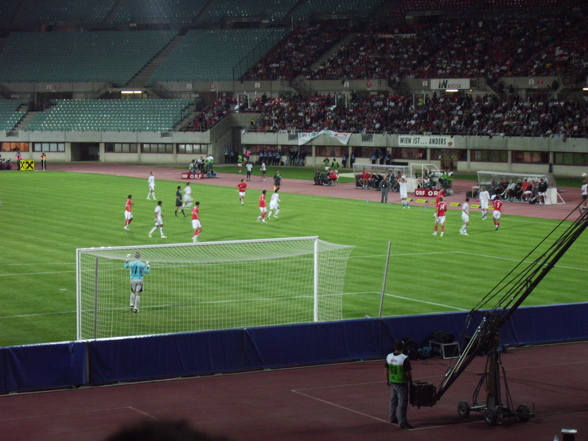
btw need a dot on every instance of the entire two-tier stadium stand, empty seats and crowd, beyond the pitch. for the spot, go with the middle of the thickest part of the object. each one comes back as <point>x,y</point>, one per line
<point>366,67</point>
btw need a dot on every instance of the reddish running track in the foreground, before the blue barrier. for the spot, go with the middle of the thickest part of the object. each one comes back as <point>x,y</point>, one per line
<point>345,402</point>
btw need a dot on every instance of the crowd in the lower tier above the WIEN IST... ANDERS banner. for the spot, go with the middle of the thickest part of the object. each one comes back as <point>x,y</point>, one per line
<point>438,115</point>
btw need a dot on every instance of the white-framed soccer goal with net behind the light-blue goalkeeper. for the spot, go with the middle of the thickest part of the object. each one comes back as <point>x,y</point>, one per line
<point>210,286</point>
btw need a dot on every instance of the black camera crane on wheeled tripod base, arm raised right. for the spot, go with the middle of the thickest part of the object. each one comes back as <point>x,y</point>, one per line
<point>511,292</point>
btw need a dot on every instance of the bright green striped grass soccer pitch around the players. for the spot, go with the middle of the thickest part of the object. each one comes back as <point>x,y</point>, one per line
<point>46,216</point>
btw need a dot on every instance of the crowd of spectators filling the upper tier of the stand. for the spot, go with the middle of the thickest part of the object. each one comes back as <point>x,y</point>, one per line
<point>492,47</point>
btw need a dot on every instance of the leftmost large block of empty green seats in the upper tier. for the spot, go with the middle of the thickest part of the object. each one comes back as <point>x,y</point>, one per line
<point>114,56</point>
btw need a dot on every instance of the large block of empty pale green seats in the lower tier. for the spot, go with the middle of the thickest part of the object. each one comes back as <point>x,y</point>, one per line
<point>111,115</point>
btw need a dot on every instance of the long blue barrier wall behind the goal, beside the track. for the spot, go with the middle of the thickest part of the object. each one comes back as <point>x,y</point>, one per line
<point>104,361</point>
